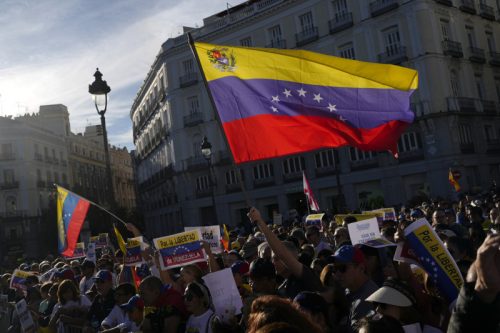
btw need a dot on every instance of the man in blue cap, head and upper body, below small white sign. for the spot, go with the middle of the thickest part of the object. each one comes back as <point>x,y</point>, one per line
<point>350,271</point>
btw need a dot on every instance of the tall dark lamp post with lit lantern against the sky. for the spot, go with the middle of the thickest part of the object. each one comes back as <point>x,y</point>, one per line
<point>99,90</point>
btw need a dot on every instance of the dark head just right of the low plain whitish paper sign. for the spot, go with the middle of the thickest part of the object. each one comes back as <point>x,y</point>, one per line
<point>262,276</point>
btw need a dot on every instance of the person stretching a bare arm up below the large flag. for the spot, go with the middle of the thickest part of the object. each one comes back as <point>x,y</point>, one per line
<point>297,277</point>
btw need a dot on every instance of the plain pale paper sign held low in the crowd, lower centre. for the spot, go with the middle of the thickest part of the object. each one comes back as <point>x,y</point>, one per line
<point>225,295</point>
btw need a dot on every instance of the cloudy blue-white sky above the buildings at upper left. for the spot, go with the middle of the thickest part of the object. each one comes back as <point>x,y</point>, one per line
<point>50,49</point>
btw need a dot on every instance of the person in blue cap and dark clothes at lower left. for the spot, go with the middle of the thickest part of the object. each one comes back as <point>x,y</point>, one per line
<point>104,301</point>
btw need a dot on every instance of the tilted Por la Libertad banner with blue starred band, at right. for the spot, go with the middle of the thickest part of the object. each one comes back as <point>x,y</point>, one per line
<point>434,258</point>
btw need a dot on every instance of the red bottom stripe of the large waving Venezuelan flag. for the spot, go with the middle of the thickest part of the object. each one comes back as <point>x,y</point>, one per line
<point>267,136</point>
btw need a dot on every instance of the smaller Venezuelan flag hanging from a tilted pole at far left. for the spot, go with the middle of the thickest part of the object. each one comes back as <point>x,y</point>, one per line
<point>71,212</point>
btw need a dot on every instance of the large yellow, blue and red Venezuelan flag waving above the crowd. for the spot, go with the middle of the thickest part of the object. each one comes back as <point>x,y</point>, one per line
<point>278,102</point>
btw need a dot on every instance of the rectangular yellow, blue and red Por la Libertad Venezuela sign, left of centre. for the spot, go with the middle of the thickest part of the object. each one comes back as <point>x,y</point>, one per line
<point>180,249</point>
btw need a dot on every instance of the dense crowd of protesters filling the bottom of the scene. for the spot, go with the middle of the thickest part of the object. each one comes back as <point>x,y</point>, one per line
<point>291,278</point>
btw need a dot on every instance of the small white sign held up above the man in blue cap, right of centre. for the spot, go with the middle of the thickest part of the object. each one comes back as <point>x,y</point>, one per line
<point>367,233</point>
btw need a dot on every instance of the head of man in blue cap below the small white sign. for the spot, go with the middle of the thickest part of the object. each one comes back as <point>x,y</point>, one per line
<point>350,267</point>
